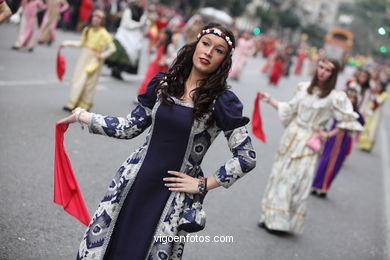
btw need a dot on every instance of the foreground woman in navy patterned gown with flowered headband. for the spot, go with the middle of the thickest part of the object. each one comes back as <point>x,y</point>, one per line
<point>160,194</point>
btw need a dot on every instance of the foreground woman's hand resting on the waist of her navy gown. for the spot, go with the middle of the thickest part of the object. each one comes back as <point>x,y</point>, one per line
<point>181,183</point>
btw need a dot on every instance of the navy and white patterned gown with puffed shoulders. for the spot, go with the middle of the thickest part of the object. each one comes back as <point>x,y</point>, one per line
<point>137,205</point>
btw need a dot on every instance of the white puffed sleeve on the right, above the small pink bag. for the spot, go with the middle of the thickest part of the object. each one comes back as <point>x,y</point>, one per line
<point>343,112</point>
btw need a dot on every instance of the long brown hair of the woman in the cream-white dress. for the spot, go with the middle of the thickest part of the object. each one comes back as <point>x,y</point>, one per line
<point>330,83</point>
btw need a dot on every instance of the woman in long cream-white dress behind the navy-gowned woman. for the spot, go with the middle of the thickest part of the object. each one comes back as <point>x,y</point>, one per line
<point>307,113</point>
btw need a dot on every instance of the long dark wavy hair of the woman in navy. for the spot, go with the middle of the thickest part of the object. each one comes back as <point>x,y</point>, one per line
<point>209,88</point>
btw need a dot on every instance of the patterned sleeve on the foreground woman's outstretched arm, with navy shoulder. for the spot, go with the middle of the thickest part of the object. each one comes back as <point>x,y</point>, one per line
<point>134,124</point>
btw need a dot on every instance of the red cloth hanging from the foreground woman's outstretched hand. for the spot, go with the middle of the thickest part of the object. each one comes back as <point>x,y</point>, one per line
<point>66,189</point>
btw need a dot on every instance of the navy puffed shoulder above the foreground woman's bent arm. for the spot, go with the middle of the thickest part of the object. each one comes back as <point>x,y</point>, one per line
<point>228,111</point>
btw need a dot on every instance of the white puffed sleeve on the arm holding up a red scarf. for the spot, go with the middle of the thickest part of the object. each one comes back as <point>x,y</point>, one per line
<point>287,111</point>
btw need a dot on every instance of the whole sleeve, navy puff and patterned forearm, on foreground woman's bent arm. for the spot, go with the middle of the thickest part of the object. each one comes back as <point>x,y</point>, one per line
<point>228,116</point>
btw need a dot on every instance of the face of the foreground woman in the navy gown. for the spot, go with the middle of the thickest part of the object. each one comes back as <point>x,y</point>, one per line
<point>209,53</point>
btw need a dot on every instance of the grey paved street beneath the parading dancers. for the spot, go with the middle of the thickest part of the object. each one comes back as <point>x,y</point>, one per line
<point>351,224</point>
